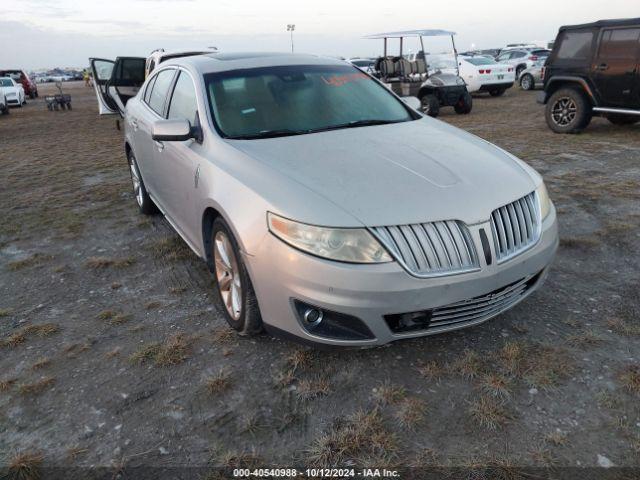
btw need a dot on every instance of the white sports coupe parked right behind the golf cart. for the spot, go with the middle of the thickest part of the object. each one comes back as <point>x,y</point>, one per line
<point>481,74</point>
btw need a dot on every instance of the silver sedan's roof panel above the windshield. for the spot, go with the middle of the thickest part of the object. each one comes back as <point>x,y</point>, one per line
<point>221,62</point>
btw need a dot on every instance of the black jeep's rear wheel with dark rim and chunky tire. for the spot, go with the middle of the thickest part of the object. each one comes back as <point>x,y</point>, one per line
<point>568,111</point>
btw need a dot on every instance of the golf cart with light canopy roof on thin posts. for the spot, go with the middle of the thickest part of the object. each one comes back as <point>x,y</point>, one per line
<point>434,89</point>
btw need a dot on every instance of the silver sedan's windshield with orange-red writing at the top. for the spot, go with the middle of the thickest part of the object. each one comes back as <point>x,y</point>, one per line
<point>297,99</point>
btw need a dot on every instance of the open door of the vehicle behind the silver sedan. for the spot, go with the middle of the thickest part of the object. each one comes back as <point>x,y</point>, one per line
<point>116,82</point>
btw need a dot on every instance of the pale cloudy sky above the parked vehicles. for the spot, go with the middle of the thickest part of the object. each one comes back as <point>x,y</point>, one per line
<point>64,33</point>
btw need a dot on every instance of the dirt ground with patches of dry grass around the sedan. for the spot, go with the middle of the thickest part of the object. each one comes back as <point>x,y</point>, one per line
<point>114,353</point>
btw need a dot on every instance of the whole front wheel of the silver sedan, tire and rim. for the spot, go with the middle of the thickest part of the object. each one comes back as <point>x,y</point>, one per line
<point>233,285</point>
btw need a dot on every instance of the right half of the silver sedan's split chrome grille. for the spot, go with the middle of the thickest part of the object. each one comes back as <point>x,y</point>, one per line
<point>515,227</point>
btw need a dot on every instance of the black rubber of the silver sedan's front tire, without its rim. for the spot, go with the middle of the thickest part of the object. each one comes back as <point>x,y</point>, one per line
<point>250,321</point>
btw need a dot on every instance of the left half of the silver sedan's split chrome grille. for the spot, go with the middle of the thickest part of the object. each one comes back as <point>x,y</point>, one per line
<point>430,249</point>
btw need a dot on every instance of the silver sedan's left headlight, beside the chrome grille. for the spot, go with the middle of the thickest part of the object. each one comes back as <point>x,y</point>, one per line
<point>354,245</point>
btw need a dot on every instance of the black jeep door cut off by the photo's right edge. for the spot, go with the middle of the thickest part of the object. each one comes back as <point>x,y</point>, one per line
<point>615,67</point>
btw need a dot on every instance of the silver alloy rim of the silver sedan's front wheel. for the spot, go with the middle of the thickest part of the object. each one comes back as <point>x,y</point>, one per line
<point>228,275</point>
